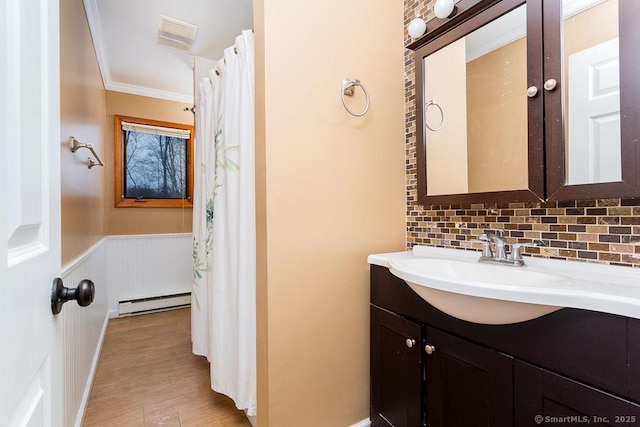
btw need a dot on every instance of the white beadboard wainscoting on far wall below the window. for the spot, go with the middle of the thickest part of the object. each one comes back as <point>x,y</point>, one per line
<point>148,266</point>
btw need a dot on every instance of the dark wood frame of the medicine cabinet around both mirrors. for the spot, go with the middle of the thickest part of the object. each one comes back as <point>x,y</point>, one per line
<point>546,145</point>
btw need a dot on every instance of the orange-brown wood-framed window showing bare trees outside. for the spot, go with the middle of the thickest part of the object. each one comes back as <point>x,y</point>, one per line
<point>153,163</point>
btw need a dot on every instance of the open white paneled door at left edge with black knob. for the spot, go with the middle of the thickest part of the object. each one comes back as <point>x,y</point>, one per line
<point>30,375</point>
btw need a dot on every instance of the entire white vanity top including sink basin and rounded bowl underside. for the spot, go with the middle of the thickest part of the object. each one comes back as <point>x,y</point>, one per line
<point>457,284</point>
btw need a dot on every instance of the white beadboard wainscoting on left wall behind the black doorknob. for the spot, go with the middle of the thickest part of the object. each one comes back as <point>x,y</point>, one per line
<point>83,331</point>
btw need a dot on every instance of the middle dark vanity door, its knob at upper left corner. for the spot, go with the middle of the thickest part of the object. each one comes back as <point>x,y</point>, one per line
<point>467,384</point>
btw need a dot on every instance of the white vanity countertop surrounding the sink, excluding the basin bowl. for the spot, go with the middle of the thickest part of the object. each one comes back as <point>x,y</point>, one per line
<point>599,287</point>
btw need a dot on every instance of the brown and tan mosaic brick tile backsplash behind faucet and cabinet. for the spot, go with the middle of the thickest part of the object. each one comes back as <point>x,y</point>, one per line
<point>603,231</point>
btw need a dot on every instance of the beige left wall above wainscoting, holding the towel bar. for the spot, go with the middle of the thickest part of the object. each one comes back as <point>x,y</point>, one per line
<point>82,115</point>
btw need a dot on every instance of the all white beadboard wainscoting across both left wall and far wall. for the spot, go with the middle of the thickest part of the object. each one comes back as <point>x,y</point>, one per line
<point>122,268</point>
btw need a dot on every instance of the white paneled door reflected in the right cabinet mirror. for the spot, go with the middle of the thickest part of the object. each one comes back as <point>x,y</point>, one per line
<point>594,115</point>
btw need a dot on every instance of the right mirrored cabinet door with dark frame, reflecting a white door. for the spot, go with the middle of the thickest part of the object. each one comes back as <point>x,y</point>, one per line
<point>593,151</point>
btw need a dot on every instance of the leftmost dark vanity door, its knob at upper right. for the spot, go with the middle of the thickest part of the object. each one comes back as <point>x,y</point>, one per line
<point>396,370</point>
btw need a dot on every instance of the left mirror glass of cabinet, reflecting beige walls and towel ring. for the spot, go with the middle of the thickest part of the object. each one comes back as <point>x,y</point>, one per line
<point>475,134</point>
